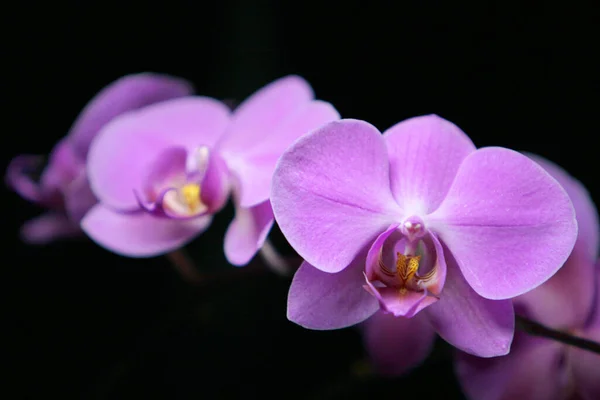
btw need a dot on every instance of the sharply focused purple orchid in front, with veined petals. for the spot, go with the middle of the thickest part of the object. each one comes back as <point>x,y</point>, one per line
<point>418,220</point>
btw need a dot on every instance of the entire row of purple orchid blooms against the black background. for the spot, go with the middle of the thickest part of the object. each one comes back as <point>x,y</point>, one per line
<point>406,234</point>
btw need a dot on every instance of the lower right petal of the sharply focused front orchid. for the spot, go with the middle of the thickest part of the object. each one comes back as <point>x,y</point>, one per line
<point>469,322</point>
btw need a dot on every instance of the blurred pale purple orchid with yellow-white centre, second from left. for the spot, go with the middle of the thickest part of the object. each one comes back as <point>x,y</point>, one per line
<point>161,172</point>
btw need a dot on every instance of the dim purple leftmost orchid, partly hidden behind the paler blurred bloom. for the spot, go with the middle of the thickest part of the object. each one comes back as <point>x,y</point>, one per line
<point>63,187</point>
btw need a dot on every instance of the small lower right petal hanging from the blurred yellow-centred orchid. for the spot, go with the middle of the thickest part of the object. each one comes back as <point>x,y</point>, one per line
<point>247,232</point>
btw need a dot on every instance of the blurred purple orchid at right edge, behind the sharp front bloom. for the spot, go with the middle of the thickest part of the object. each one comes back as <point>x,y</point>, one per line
<point>538,368</point>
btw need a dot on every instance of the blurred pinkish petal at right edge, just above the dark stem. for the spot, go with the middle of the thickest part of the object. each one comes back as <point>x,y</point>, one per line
<point>566,299</point>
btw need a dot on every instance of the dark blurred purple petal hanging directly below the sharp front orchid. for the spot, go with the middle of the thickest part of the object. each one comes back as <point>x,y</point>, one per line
<point>396,344</point>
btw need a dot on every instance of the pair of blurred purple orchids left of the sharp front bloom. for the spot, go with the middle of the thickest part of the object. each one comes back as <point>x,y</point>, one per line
<point>148,164</point>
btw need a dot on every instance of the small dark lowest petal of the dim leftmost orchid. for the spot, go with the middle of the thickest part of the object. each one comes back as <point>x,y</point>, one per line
<point>49,227</point>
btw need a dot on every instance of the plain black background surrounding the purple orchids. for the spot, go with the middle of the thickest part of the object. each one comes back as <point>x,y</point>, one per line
<point>84,323</point>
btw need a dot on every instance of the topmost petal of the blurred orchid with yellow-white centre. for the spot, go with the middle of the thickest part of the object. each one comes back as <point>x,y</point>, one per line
<point>260,114</point>
